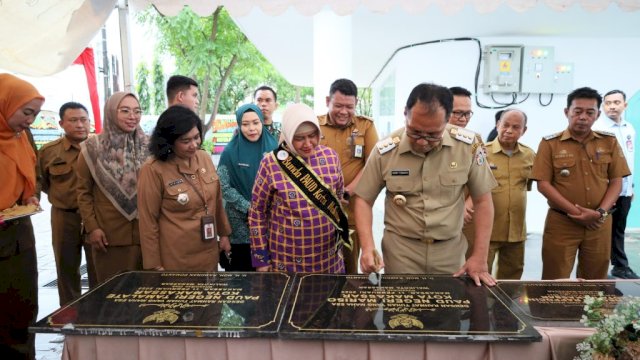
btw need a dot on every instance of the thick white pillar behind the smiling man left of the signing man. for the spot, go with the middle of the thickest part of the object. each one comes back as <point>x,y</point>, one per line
<point>332,59</point>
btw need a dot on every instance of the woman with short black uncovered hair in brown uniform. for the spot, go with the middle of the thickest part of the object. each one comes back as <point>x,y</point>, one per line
<point>179,198</point>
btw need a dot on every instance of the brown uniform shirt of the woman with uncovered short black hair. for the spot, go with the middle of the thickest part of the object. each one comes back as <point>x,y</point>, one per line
<point>170,208</point>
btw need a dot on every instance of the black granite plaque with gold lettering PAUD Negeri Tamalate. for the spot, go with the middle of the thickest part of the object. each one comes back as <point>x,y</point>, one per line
<point>177,304</point>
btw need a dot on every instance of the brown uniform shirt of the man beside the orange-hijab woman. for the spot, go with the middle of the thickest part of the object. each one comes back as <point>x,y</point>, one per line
<point>58,160</point>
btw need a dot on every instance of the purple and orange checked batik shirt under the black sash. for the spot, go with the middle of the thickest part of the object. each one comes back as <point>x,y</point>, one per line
<point>289,233</point>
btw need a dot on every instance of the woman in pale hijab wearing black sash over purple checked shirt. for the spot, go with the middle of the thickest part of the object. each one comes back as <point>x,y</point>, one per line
<point>296,220</point>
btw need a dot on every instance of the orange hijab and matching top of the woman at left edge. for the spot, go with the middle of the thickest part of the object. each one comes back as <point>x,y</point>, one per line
<point>17,158</point>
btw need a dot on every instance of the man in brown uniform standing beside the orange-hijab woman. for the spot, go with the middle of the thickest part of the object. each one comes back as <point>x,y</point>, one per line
<point>57,162</point>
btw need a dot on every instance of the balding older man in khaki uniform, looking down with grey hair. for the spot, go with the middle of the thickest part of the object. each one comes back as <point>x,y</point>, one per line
<point>511,163</point>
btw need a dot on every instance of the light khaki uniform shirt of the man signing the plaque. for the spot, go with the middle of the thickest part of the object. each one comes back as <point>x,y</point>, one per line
<point>431,183</point>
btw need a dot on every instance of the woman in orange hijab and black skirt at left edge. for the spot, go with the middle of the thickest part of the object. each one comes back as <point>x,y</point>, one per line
<point>20,103</point>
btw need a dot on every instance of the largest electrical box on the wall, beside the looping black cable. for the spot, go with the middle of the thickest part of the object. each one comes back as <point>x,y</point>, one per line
<point>502,68</point>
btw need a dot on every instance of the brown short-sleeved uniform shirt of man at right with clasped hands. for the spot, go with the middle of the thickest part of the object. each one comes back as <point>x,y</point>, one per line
<point>580,171</point>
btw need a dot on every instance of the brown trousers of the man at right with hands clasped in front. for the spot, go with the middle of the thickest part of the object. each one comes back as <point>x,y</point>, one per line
<point>563,238</point>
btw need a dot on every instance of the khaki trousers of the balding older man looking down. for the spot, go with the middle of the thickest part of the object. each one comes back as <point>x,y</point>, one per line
<point>510,264</point>
